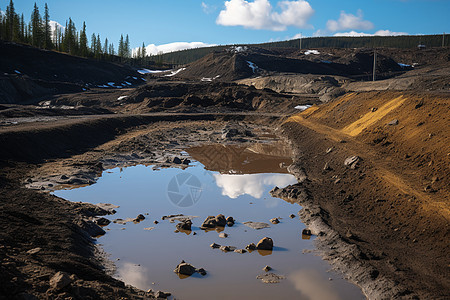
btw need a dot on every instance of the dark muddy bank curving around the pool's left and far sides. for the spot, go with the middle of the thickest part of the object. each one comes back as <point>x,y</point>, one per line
<point>42,234</point>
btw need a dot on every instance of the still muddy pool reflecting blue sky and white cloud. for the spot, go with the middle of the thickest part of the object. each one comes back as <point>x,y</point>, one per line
<point>231,180</point>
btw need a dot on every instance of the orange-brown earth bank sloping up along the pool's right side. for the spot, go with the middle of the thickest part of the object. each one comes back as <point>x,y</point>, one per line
<point>382,220</point>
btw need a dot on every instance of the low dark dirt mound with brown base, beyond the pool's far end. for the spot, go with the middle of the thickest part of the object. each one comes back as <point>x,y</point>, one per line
<point>176,96</point>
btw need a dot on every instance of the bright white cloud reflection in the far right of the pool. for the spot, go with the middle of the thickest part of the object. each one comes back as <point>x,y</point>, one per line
<point>250,184</point>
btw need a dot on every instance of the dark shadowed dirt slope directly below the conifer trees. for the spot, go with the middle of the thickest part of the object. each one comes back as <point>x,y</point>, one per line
<point>28,73</point>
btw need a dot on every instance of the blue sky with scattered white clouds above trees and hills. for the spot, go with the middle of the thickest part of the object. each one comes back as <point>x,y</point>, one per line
<point>239,21</point>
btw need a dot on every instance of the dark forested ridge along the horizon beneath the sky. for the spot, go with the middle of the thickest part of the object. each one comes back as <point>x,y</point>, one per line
<point>408,41</point>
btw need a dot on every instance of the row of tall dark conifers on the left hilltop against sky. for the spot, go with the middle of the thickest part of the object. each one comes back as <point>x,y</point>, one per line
<point>39,33</point>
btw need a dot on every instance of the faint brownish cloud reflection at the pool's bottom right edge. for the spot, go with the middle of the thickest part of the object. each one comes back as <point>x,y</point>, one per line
<point>313,285</point>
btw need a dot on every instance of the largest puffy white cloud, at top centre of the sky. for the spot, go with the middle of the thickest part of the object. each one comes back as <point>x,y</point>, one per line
<point>259,14</point>
